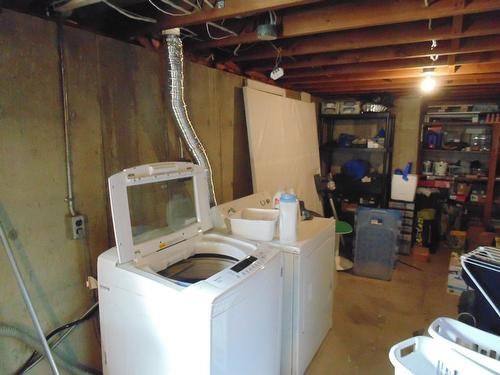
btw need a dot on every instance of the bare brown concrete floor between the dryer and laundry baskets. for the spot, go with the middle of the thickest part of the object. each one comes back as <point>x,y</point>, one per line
<point>369,316</point>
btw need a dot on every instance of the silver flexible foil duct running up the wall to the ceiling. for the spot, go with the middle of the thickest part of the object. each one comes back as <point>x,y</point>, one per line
<point>173,44</point>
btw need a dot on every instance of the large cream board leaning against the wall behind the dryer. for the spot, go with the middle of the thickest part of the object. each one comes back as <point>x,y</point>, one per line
<point>283,143</point>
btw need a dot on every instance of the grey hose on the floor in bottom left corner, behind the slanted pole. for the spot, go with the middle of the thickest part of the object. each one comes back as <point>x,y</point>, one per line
<point>29,340</point>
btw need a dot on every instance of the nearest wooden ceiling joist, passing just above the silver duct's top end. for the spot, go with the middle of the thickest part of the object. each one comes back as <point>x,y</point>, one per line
<point>232,8</point>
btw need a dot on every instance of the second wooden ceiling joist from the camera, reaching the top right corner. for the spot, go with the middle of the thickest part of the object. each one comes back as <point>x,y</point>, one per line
<point>360,14</point>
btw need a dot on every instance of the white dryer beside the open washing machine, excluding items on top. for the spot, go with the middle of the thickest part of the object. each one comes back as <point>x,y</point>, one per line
<point>307,283</point>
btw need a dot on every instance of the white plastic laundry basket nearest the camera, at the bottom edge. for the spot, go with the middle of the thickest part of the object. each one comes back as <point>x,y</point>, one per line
<point>423,356</point>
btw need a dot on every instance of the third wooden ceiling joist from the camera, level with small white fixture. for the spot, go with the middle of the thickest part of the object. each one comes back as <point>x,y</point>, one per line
<point>405,51</point>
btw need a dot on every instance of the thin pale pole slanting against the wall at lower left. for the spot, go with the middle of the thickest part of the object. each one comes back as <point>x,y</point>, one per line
<point>27,300</point>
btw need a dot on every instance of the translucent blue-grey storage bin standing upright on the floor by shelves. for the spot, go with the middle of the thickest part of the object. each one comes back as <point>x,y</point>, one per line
<point>376,242</point>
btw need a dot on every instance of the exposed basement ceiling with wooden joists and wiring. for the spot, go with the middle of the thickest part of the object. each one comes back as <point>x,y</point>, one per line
<point>325,47</point>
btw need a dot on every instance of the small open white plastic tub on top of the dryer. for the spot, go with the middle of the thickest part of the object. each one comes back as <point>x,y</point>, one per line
<point>256,224</point>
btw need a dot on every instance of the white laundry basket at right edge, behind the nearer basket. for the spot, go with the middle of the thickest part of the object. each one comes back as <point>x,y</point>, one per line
<point>480,346</point>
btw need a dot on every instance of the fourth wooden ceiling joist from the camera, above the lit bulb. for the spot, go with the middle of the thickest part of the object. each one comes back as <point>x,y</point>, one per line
<point>381,66</point>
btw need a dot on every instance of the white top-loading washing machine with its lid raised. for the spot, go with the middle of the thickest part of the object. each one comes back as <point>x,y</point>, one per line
<point>173,300</point>
